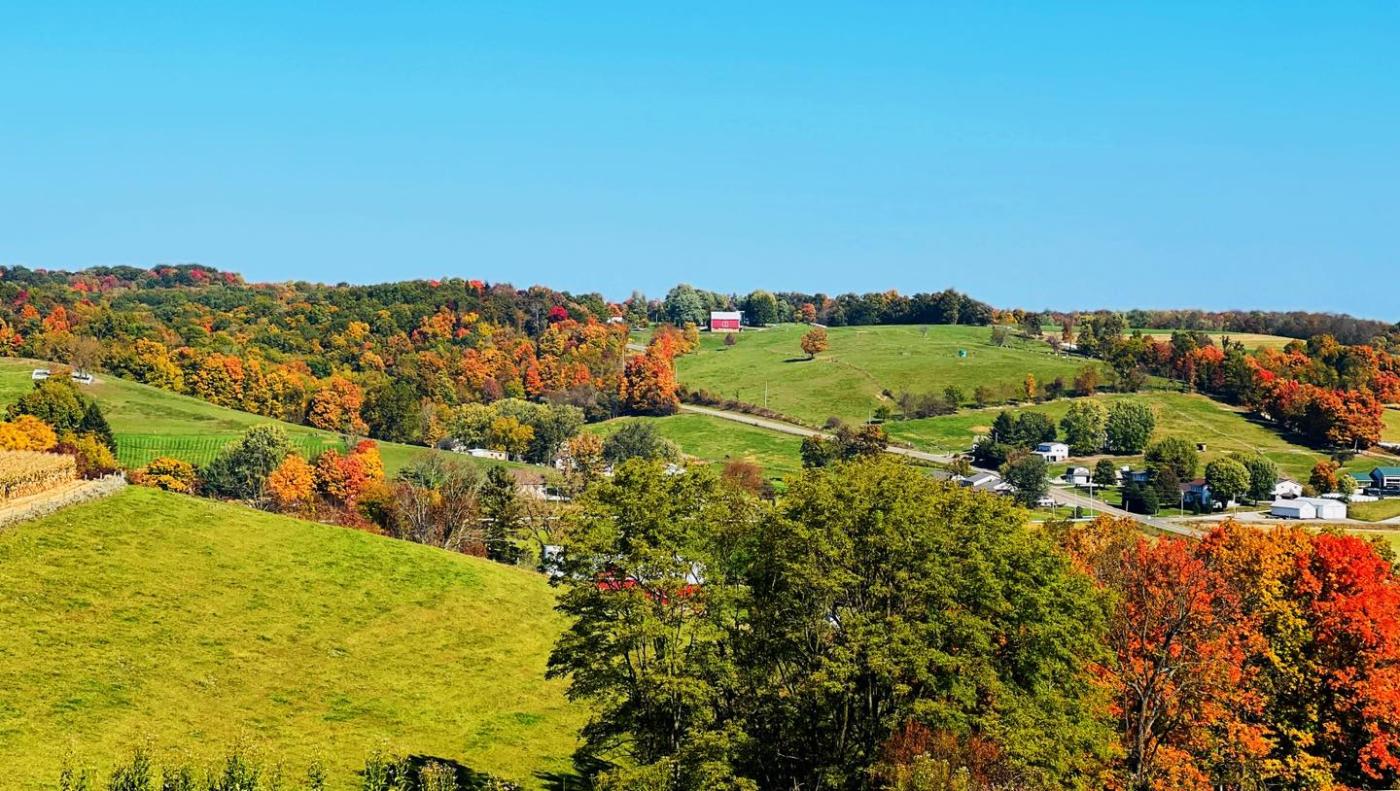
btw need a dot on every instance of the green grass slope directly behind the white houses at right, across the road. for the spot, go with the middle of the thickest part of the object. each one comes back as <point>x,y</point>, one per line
<point>1193,418</point>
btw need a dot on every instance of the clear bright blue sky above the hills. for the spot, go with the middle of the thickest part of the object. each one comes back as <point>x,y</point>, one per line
<point>1038,155</point>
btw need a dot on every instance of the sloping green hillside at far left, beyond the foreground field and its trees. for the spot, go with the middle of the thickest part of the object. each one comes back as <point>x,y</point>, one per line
<point>150,422</point>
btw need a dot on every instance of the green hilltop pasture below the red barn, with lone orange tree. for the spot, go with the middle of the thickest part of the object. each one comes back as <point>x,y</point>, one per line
<point>863,362</point>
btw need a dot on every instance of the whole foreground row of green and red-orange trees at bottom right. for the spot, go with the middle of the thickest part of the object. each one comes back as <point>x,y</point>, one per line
<point>874,629</point>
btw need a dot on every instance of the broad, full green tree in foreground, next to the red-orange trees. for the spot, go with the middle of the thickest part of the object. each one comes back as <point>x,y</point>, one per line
<point>880,598</point>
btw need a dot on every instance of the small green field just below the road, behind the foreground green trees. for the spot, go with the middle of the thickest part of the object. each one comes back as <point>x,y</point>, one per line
<point>716,440</point>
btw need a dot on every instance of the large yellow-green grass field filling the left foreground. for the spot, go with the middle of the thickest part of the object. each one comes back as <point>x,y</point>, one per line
<point>195,624</point>
